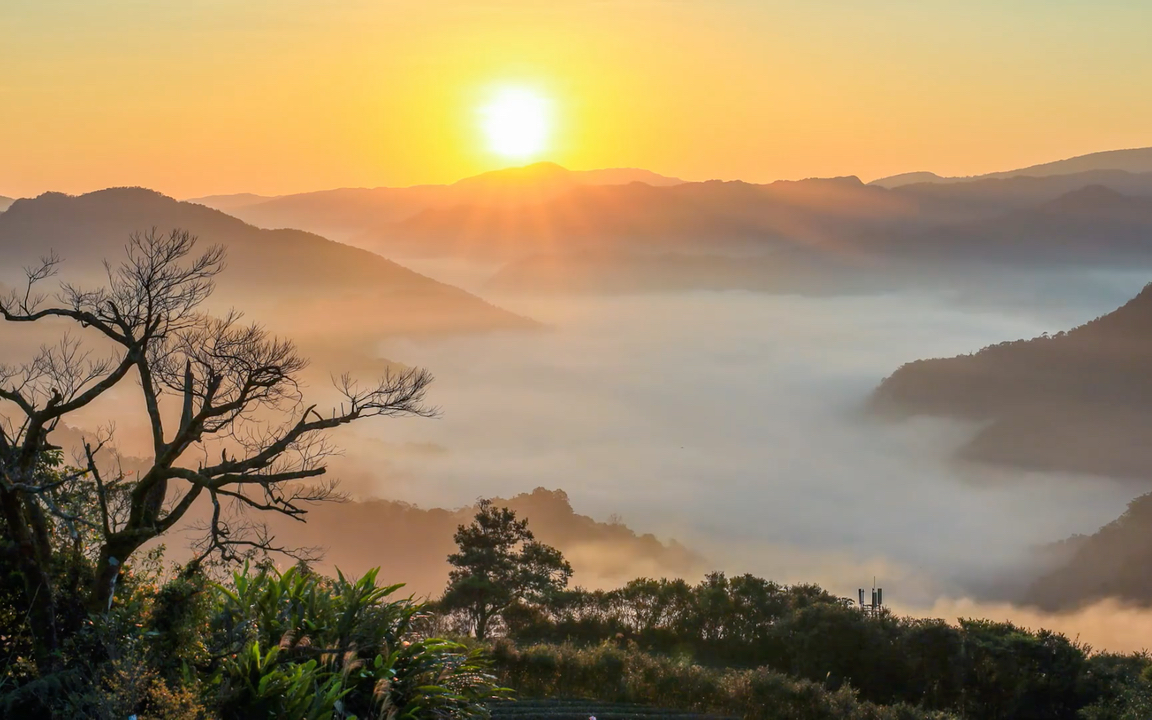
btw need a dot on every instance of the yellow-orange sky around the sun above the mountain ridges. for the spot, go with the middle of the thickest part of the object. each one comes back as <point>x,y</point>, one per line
<point>194,97</point>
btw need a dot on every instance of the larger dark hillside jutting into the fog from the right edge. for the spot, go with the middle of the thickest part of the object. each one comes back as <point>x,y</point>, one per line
<point>1079,401</point>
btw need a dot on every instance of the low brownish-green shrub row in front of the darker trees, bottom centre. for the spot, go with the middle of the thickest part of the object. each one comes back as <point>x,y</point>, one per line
<point>630,676</point>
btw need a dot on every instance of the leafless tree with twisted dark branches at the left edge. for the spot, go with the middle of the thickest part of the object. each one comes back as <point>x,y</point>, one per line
<point>242,436</point>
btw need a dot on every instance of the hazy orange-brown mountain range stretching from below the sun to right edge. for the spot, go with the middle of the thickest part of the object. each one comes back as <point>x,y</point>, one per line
<point>839,216</point>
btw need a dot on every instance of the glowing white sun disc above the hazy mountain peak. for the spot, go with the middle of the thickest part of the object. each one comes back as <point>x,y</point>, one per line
<point>517,123</point>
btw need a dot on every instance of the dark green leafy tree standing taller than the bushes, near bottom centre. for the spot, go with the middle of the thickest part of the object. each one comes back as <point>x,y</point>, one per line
<point>501,564</point>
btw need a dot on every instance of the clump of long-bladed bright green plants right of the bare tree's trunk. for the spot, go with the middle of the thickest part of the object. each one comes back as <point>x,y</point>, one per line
<point>301,647</point>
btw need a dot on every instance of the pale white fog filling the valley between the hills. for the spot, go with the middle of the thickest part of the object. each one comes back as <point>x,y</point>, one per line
<point>731,422</point>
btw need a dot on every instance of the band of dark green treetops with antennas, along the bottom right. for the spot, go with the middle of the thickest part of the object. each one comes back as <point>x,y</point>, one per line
<point>976,669</point>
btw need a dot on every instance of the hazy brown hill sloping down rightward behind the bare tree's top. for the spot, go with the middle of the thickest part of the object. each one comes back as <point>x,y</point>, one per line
<point>281,271</point>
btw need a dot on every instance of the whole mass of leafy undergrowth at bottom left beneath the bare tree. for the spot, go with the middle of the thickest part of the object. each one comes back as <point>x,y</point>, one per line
<point>291,646</point>
